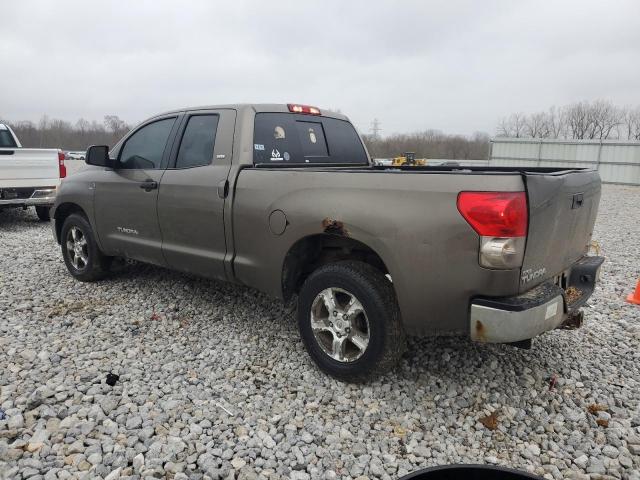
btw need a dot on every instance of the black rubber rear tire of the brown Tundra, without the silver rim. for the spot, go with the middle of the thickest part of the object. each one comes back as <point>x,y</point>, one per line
<point>374,291</point>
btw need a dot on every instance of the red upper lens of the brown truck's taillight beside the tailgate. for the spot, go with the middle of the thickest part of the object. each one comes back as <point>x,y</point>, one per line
<point>495,214</point>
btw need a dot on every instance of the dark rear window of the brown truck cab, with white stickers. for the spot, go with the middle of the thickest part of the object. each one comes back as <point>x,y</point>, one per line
<point>291,138</point>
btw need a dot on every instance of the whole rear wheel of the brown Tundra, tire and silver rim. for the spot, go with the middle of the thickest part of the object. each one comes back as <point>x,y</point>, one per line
<point>349,321</point>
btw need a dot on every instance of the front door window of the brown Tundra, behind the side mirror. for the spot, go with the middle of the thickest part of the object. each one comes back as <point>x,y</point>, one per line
<point>144,149</point>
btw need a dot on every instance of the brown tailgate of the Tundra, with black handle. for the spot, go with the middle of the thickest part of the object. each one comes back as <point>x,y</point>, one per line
<point>562,213</point>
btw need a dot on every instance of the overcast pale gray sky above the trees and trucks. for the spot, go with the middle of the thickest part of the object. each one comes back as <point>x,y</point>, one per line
<point>457,66</point>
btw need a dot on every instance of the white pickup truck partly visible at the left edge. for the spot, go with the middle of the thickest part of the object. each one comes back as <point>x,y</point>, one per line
<point>28,176</point>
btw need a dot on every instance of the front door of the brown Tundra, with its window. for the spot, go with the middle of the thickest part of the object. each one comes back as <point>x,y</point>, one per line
<point>126,197</point>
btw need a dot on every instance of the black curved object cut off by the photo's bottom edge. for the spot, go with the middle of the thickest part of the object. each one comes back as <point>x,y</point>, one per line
<point>469,472</point>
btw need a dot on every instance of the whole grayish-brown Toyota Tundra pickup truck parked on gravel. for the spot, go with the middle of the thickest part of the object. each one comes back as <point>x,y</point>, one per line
<point>284,198</point>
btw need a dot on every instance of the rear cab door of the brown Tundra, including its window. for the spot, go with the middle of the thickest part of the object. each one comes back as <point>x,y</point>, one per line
<point>193,192</point>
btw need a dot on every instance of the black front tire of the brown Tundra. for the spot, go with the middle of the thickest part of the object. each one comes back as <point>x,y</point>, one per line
<point>97,264</point>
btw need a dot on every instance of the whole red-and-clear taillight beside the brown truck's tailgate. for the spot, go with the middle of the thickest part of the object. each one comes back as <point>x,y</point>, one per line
<point>500,218</point>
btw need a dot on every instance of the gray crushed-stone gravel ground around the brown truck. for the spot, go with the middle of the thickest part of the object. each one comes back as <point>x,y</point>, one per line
<point>214,382</point>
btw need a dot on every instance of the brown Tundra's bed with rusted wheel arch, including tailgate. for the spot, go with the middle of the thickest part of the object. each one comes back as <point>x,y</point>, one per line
<point>409,217</point>
